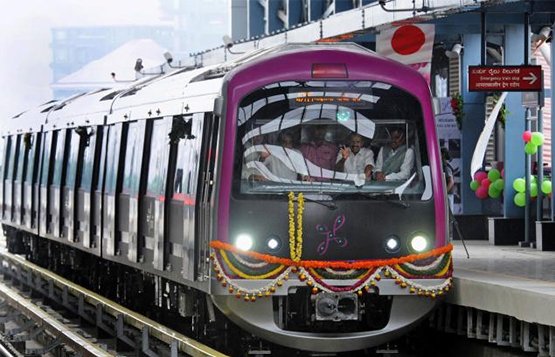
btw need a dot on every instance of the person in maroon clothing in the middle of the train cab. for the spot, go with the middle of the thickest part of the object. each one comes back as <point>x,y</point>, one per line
<point>318,150</point>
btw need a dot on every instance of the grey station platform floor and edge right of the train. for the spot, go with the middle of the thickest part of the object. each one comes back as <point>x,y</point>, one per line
<point>507,280</point>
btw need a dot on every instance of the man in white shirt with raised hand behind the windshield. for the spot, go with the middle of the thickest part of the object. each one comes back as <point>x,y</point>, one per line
<point>355,158</point>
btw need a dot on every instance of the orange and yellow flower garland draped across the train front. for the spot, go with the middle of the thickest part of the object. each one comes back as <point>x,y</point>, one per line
<point>231,263</point>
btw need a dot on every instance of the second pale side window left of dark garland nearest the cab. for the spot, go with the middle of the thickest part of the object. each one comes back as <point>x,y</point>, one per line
<point>133,156</point>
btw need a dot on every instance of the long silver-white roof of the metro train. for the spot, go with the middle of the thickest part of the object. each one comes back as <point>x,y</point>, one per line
<point>180,92</point>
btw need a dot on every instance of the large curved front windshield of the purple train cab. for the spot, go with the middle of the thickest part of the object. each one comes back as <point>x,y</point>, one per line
<point>342,138</point>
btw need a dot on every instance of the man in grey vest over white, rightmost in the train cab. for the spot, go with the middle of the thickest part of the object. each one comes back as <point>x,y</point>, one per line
<point>395,160</point>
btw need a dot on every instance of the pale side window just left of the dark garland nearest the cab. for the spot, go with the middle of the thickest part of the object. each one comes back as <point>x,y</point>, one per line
<point>158,162</point>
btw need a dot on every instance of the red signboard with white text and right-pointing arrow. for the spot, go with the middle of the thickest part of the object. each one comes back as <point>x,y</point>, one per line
<point>505,78</point>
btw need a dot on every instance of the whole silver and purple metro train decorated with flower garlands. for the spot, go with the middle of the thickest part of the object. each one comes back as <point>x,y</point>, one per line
<point>185,180</point>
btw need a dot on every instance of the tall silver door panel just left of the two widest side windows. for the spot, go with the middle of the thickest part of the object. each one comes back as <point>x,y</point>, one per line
<point>112,186</point>
